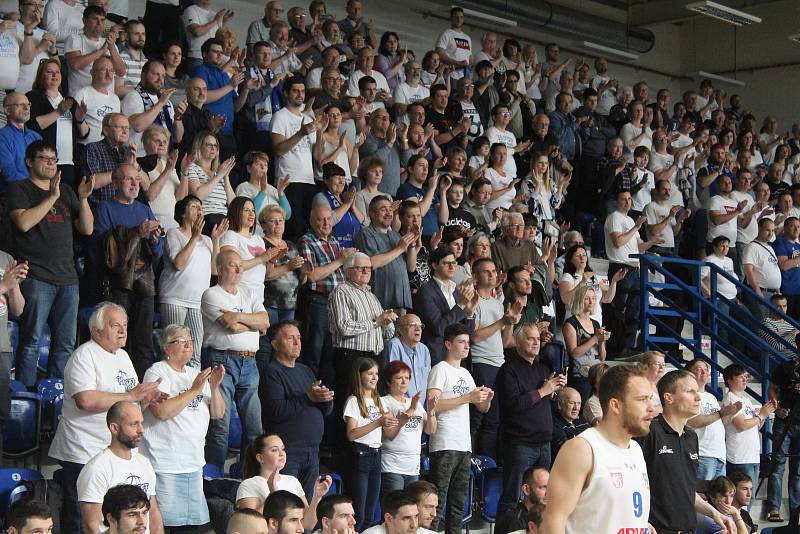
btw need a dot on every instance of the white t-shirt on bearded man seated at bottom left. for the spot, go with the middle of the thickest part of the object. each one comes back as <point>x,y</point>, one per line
<point>107,470</point>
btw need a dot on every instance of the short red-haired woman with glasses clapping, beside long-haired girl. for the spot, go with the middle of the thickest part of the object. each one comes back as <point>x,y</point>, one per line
<point>402,444</point>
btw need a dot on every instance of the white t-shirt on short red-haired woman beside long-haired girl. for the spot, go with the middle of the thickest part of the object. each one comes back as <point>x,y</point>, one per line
<point>402,454</point>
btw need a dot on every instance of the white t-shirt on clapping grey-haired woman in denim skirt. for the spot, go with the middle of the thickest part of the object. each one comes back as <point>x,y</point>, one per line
<point>176,445</point>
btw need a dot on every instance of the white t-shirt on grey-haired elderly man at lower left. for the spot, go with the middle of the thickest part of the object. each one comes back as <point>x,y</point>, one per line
<point>82,434</point>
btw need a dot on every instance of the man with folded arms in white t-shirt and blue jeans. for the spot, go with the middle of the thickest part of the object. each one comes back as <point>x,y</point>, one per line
<point>233,318</point>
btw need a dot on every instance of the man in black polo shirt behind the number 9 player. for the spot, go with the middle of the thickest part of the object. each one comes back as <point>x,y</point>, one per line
<point>671,451</point>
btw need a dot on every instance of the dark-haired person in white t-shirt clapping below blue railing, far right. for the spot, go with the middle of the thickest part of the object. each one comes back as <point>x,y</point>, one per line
<point>742,439</point>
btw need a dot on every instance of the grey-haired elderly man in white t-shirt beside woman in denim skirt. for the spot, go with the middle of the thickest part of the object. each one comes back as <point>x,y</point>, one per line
<point>98,374</point>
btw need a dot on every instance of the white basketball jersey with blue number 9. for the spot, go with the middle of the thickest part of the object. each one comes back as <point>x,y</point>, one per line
<point>617,498</point>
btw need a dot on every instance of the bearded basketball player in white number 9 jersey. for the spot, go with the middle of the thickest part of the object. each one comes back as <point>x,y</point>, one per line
<point>603,468</point>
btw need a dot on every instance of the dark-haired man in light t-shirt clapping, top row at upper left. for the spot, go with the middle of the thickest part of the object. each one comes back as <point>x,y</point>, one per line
<point>82,49</point>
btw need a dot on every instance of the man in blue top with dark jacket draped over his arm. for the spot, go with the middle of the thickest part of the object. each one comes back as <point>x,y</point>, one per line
<point>136,232</point>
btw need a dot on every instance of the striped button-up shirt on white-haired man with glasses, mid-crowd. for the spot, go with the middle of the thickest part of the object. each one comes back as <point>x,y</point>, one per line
<point>351,319</point>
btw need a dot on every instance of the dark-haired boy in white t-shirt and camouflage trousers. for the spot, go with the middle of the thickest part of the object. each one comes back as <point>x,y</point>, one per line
<point>452,388</point>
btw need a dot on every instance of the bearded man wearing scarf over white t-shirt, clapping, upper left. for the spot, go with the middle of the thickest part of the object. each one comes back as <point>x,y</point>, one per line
<point>149,103</point>
